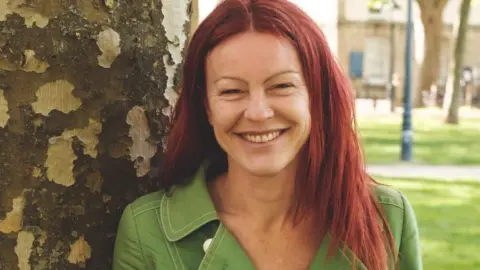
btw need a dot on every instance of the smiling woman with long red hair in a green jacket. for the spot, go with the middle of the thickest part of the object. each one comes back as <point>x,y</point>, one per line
<point>263,168</point>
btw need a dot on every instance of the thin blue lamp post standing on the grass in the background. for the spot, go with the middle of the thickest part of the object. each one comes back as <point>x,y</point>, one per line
<point>407,131</point>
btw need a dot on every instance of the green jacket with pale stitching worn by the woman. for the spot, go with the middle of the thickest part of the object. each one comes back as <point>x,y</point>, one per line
<point>168,231</point>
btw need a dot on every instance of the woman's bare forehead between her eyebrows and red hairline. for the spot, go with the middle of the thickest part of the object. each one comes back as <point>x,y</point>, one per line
<point>252,53</point>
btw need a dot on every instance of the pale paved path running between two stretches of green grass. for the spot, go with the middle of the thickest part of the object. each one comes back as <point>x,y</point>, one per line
<point>426,171</point>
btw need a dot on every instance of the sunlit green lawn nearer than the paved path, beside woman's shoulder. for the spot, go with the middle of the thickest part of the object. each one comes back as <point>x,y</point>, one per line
<point>448,215</point>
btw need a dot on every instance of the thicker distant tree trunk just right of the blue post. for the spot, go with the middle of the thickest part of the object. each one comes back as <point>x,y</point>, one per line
<point>432,19</point>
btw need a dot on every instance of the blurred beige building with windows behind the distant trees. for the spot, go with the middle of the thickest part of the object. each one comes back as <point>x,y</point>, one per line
<point>364,44</point>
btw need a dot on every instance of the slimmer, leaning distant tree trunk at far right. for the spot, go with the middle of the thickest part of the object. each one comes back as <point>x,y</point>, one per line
<point>454,91</point>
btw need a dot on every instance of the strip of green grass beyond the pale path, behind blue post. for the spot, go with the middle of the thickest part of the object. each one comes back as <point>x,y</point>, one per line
<point>434,142</point>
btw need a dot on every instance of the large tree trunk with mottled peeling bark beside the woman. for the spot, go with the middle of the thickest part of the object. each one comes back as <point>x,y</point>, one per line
<point>82,88</point>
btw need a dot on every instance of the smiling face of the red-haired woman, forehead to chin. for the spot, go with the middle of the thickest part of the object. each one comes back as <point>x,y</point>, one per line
<point>258,104</point>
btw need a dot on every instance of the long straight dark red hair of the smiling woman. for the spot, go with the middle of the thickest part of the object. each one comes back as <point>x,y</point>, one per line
<point>332,183</point>
